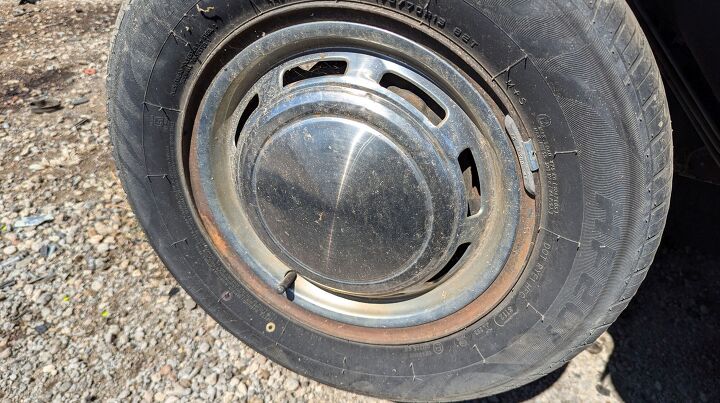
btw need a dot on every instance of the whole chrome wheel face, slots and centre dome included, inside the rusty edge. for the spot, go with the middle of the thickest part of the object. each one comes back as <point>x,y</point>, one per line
<point>360,174</point>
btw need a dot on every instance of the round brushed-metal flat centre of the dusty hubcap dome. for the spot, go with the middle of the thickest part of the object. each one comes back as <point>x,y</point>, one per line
<point>342,201</point>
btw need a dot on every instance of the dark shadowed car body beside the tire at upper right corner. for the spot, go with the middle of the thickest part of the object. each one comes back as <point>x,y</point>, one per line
<point>685,37</point>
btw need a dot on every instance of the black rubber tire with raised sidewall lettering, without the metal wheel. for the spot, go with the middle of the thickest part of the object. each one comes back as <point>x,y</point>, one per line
<point>584,83</point>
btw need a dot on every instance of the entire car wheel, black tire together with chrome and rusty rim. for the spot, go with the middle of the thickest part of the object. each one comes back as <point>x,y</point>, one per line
<point>416,203</point>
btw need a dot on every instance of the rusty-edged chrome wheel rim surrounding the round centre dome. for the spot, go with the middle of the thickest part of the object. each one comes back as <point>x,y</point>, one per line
<point>219,117</point>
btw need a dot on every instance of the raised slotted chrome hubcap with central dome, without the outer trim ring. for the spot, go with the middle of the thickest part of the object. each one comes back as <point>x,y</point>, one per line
<point>346,178</point>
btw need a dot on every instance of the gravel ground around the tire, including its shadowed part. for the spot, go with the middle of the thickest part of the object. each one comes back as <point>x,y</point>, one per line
<point>87,310</point>
